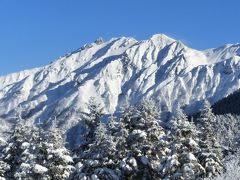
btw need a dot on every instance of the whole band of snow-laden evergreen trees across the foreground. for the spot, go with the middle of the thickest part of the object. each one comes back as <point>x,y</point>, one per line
<point>134,145</point>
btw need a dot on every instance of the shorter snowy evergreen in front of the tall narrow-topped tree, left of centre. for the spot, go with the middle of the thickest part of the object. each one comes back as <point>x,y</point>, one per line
<point>98,159</point>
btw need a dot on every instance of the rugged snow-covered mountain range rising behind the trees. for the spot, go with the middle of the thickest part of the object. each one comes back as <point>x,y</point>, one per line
<point>122,70</point>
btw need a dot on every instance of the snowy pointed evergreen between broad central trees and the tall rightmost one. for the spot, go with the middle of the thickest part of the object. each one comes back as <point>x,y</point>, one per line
<point>182,161</point>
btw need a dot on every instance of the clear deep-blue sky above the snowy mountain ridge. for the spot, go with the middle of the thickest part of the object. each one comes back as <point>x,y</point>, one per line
<point>35,32</point>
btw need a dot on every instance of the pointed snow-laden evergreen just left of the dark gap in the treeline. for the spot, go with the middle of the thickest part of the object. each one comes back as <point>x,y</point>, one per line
<point>54,156</point>
